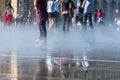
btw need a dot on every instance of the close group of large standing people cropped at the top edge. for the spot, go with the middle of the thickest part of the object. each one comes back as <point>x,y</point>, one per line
<point>49,10</point>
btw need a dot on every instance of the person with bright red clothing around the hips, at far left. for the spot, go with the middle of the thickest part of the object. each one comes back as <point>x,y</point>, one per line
<point>8,11</point>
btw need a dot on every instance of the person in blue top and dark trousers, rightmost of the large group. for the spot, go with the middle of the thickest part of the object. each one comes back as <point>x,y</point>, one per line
<point>87,13</point>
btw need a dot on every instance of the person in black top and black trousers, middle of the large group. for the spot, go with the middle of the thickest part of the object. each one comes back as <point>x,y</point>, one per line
<point>67,13</point>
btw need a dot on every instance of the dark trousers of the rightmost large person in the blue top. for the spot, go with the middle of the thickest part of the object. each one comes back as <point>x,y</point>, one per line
<point>88,16</point>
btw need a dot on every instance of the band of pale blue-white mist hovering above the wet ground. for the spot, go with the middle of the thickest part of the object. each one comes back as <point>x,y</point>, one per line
<point>22,40</point>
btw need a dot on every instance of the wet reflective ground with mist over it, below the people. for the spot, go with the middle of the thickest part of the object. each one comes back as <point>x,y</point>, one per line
<point>62,56</point>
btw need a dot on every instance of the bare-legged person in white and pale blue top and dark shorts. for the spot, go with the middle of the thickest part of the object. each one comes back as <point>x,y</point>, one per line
<point>51,10</point>
